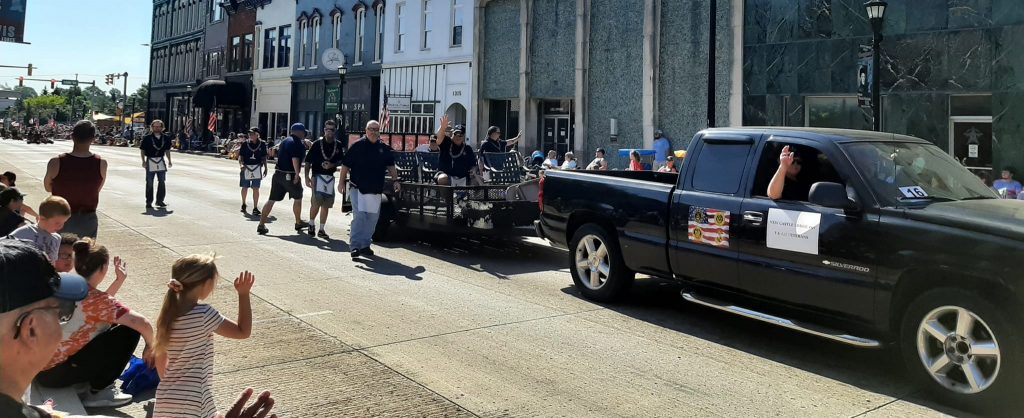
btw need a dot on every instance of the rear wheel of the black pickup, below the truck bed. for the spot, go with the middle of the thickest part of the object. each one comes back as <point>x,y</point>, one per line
<point>598,266</point>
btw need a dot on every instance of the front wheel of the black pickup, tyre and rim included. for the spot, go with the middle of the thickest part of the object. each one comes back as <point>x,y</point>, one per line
<point>964,350</point>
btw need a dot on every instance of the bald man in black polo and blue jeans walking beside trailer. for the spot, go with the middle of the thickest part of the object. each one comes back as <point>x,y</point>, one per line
<point>366,160</point>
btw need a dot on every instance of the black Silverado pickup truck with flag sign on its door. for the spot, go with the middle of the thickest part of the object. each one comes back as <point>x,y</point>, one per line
<point>880,239</point>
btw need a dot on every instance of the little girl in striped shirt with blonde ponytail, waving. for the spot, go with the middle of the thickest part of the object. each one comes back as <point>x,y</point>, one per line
<point>185,337</point>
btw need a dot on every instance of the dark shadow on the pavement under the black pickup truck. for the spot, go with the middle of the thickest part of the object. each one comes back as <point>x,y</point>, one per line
<point>658,303</point>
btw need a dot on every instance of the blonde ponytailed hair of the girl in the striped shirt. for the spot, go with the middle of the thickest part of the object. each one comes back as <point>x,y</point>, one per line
<point>188,275</point>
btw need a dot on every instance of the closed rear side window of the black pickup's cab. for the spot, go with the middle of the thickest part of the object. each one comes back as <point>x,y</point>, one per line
<point>720,168</point>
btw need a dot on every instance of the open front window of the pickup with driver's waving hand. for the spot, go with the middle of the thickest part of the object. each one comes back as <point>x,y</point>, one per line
<point>808,166</point>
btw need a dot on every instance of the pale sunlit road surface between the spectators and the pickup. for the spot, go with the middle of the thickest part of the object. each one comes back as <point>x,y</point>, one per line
<point>442,327</point>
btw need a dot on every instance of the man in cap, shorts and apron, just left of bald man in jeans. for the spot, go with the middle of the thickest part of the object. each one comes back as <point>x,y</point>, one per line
<point>323,159</point>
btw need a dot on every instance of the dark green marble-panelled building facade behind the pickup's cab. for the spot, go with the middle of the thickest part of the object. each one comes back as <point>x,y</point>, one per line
<point>952,72</point>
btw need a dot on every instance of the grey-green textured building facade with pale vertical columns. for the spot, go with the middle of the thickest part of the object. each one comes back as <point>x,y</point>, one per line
<point>578,75</point>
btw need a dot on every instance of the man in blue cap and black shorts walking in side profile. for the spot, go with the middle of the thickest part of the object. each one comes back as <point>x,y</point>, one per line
<point>286,179</point>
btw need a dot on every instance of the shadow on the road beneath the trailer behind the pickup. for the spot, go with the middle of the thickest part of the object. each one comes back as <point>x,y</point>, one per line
<point>498,257</point>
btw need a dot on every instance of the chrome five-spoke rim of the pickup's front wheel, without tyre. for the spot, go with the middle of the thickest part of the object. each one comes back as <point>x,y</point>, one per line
<point>959,350</point>
